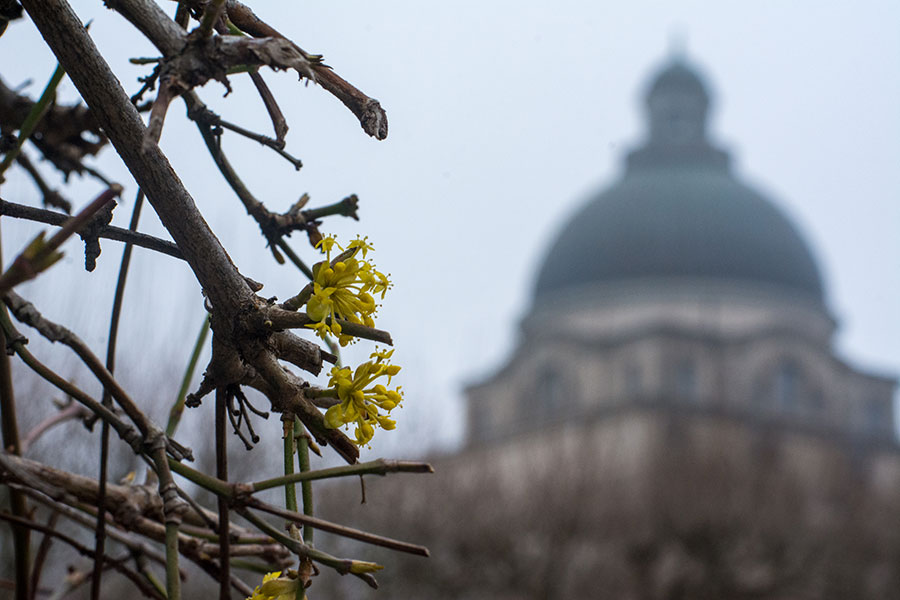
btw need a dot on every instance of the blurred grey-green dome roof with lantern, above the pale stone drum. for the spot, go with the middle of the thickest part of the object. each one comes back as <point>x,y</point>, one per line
<point>678,212</point>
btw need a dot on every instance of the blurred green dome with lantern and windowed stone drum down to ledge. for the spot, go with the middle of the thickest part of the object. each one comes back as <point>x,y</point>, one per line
<point>680,286</point>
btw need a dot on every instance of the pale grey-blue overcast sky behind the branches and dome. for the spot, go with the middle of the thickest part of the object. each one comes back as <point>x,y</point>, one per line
<point>504,116</point>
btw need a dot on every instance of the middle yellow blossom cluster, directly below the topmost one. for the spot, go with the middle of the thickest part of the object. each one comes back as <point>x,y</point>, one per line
<point>360,401</point>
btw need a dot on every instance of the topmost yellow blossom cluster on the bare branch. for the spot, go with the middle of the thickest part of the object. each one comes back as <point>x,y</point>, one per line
<point>343,288</point>
